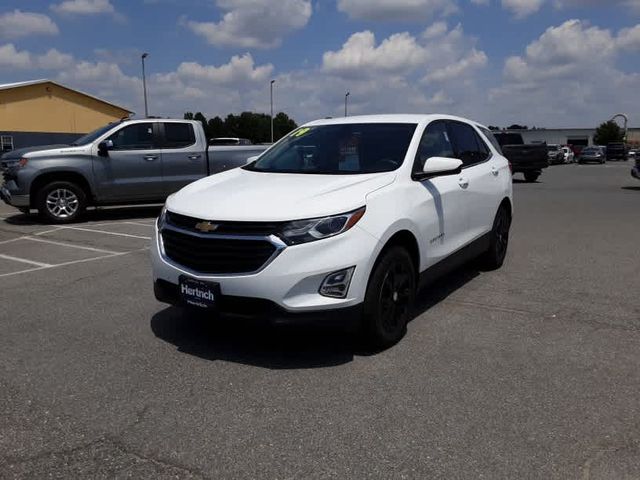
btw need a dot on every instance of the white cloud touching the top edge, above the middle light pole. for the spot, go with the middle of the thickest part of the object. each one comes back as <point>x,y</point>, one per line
<point>254,23</point>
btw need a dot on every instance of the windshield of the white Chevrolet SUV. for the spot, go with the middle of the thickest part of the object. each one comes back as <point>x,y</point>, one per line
<point>339,149</point>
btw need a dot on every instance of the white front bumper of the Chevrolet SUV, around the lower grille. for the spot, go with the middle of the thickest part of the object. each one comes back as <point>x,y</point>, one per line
<point>291,281</point>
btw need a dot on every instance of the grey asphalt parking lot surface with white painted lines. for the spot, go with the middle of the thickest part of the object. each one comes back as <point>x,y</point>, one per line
<point>532,371</point>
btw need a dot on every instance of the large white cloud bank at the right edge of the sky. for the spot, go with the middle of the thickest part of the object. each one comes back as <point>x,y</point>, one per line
<point>573,65</point>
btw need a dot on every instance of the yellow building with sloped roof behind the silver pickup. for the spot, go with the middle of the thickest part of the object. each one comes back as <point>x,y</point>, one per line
<point>43,112</point>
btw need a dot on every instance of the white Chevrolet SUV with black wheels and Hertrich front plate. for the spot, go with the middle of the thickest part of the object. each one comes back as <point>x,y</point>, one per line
<point>341,217</point>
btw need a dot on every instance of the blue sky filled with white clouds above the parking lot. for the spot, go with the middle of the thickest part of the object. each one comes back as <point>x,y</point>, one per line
<point>538,62</point>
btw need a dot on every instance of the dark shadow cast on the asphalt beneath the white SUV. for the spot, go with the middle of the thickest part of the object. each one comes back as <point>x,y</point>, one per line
<point>282,347</point>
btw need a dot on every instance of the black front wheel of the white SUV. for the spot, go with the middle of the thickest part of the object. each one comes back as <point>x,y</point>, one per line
<point>389,299</point>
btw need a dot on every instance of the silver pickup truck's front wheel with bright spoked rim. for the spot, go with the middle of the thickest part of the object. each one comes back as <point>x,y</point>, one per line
<point>61,202</point>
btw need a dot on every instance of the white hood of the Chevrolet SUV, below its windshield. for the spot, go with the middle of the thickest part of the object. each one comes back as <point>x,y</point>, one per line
<point>242,195</point>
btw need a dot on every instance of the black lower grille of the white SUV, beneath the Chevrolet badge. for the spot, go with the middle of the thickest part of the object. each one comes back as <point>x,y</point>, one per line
<point>211,255</point>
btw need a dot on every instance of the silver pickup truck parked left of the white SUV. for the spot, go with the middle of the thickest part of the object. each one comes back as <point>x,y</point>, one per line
<point>133,161</point>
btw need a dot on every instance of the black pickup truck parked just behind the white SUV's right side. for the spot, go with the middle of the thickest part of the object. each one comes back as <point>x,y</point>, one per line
<point>528,159</point>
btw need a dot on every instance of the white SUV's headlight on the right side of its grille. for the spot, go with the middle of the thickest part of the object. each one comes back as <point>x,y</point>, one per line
<point>303,231</point>
